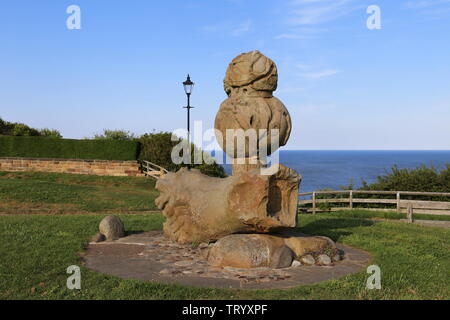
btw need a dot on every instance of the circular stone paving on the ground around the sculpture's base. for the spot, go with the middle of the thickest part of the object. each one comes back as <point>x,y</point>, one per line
<point>149,256</point>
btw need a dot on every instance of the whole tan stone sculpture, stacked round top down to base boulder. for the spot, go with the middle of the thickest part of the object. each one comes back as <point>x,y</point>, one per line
<point>199,208</point>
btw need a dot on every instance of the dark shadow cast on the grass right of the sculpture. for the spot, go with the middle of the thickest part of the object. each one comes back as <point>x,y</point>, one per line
<point>334,228</point>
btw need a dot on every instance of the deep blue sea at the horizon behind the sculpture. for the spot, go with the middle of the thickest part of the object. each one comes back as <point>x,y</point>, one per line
<point>333,169</point>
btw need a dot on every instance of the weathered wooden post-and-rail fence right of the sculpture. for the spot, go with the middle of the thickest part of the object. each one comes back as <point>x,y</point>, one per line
<point>351,197</point>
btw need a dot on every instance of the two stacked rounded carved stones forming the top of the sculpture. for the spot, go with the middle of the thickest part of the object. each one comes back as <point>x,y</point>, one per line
<point>249,83</point>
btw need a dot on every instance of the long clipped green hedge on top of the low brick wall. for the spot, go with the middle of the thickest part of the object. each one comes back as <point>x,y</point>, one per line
<point>42,147</point>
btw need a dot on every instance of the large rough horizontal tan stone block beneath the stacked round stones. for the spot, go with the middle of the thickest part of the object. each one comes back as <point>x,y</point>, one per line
<point>199,208</point>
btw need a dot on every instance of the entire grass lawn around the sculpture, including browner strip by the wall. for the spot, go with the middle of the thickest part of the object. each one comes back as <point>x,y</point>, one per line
<point>35,249</point>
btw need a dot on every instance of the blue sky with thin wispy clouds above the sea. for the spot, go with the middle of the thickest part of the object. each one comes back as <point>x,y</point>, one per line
<point>346,87</point>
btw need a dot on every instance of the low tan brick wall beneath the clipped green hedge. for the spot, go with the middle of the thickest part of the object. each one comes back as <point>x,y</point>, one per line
<point>91,167</point>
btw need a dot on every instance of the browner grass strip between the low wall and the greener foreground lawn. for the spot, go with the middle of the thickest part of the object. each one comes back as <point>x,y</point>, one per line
<point>36,192</point>
